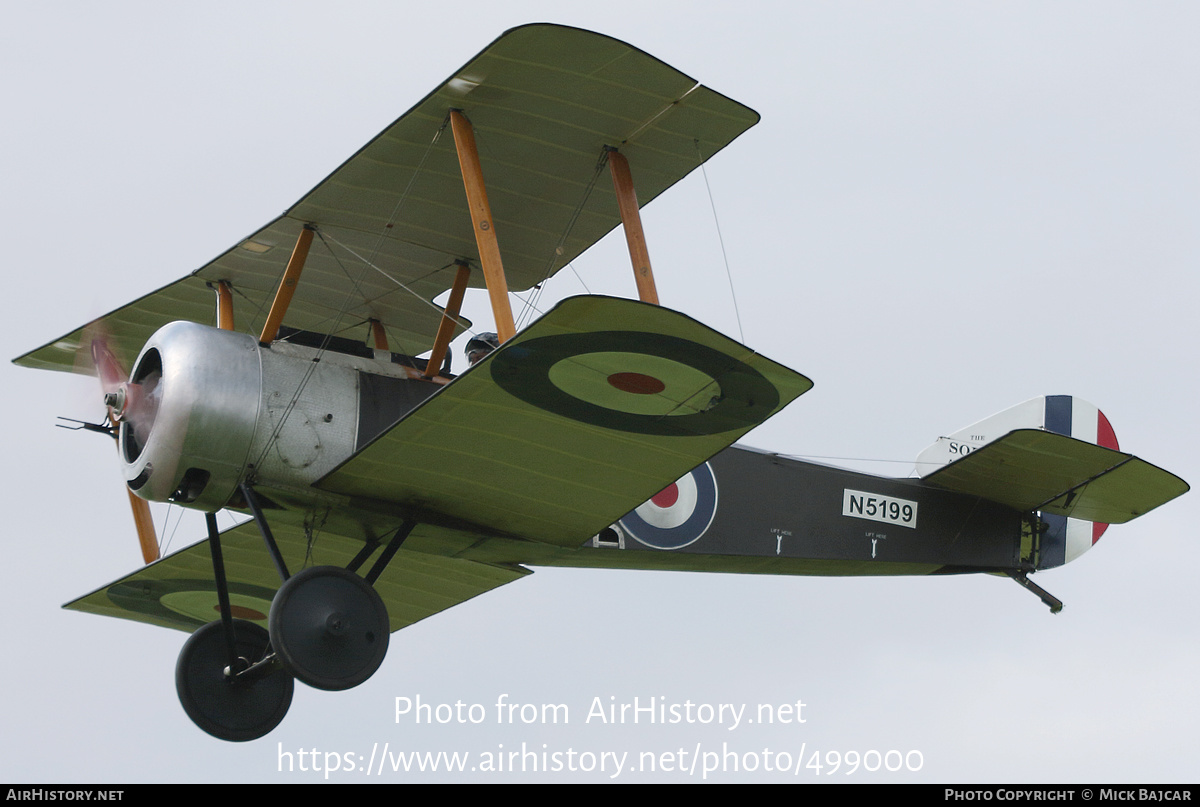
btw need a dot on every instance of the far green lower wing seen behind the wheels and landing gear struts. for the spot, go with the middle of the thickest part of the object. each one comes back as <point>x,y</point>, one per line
<point>179,590</point>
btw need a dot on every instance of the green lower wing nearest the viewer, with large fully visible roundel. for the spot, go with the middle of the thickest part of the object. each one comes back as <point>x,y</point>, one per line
<point>583,417</point>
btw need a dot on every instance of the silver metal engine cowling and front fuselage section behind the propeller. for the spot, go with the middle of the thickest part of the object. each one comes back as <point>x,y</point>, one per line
<point>206,409</point>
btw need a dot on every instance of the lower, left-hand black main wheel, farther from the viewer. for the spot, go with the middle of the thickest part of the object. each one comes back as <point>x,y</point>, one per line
<point>231,709</point>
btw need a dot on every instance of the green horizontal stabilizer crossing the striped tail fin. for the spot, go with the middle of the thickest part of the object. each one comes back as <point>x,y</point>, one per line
<point>1034,470</point>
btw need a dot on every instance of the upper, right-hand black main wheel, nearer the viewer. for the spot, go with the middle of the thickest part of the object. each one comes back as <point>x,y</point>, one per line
<point>331,627</point>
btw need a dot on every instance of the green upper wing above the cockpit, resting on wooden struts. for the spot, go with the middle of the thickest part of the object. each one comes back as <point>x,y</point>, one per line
<point>545,101</point>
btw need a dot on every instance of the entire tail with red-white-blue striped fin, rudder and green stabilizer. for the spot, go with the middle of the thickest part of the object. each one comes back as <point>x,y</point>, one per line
<point>1019,470</point>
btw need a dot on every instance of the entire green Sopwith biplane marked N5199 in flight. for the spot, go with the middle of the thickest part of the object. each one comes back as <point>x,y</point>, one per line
<point>304,378</point>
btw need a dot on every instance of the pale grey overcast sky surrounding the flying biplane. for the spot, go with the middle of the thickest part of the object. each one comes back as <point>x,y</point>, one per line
<point>947,210</point>
